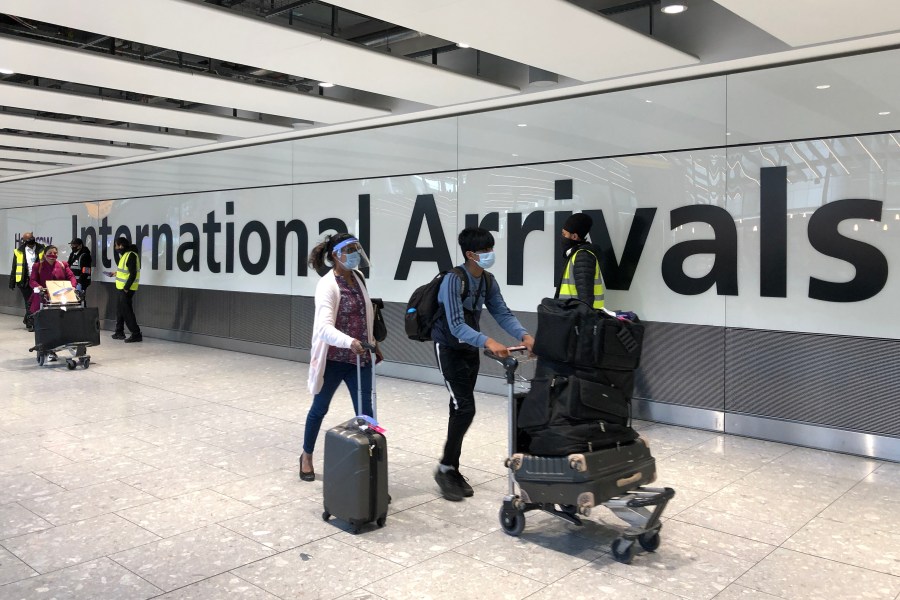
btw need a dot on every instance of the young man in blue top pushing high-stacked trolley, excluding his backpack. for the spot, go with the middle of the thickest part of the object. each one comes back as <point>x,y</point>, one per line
<point>457,339</point>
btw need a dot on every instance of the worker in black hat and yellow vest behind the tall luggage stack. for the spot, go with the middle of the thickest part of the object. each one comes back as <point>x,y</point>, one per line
<point>581,278</point>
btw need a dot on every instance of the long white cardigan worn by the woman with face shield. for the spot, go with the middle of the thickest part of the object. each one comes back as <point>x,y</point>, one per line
<point>328,298</point>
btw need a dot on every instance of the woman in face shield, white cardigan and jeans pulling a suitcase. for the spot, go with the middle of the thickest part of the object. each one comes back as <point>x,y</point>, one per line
<point>343,321</point>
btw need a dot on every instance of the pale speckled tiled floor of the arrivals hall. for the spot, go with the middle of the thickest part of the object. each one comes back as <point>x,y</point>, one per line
<point>169,471</point>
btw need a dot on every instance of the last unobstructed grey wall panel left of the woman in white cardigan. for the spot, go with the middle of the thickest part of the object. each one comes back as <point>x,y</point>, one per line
<point>261,318</point>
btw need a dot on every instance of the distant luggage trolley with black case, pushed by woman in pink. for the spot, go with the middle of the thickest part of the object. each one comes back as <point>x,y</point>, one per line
<point>64,326</point>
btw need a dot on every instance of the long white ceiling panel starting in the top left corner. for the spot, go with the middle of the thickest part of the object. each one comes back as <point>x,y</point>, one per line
<point>209,31</point>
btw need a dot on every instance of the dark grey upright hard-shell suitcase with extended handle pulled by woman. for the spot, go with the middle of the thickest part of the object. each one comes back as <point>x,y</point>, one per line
<point>355,480</point>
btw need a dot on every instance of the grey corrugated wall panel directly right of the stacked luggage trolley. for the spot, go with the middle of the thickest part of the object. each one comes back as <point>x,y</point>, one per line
<point>683,364</point>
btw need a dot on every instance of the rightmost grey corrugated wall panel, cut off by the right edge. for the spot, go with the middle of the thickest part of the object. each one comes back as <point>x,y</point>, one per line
<point>843,382</point>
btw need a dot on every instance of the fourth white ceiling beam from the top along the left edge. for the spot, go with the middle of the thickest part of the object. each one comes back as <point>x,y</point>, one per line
<point>98,132</point>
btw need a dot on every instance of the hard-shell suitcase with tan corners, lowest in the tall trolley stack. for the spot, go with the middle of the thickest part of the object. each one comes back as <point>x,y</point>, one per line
<point>584,479</point>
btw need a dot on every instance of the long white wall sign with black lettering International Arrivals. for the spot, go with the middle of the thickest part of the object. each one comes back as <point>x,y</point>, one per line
<point>750,251</point>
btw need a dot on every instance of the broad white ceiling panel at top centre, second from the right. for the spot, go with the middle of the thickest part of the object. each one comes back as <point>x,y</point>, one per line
<point>554,35</point>
